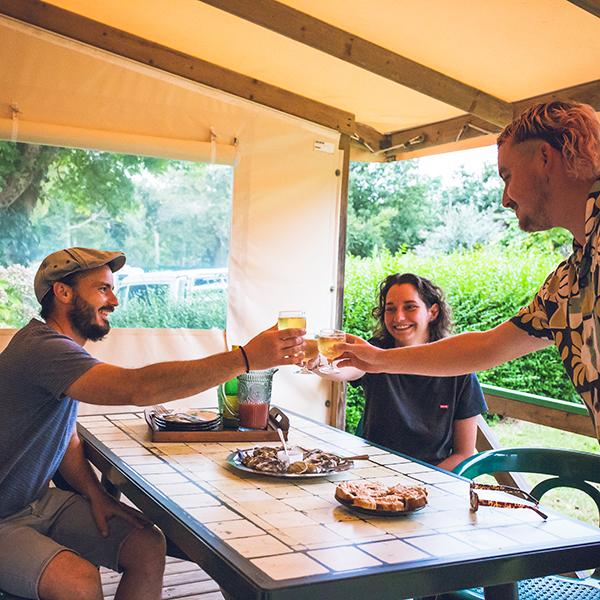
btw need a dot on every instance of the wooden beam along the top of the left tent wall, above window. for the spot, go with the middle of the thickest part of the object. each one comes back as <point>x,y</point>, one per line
<point>98,35</point>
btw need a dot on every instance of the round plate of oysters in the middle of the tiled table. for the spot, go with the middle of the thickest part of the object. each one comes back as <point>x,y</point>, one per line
<point>297,462</point>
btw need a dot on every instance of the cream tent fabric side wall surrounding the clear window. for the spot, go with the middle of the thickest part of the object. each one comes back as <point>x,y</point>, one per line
<point>286,196</point>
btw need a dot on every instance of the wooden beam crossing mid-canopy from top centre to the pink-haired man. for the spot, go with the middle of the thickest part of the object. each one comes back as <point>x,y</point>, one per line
<point>359,52</point>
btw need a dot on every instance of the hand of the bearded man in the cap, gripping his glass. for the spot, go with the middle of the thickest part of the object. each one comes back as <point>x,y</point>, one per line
<point>274,347</point>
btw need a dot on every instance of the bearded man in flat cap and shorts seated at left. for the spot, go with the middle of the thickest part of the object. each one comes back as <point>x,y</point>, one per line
<point>51,540</point>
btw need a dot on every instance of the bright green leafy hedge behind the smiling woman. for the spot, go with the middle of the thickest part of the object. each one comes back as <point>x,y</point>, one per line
<point>484,287</point>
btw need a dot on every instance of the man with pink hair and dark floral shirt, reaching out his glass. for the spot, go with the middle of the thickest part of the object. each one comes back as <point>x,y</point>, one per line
<point>549,160</point>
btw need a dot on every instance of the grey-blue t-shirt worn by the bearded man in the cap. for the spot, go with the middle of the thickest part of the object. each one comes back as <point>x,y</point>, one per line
<point>37,418</point>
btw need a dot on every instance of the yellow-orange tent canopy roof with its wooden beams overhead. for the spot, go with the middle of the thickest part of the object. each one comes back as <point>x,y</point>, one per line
<point>402,78</point>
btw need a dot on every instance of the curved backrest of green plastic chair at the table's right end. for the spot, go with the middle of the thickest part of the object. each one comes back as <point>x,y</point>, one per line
<point>570,468</point>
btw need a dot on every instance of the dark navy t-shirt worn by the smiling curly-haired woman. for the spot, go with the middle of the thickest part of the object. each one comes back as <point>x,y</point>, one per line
<point>415,414</point>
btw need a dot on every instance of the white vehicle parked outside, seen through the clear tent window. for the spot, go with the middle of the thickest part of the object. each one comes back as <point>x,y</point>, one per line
<point>178,286</point>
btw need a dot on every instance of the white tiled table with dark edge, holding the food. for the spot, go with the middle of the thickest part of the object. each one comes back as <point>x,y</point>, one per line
<point>265,537</point>
